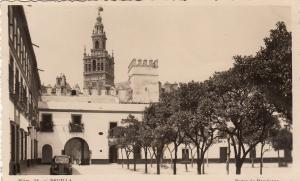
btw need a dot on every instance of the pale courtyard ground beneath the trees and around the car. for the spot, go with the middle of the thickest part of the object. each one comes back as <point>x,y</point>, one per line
<point>210,169</point>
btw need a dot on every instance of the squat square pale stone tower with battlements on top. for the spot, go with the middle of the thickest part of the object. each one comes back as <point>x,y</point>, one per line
<point>143,80</point>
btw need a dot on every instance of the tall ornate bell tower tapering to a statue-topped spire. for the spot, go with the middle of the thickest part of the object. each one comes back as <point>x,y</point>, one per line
<point>98,73</point>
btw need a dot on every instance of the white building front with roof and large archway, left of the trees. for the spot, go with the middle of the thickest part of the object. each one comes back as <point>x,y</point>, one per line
<point>79,126</point>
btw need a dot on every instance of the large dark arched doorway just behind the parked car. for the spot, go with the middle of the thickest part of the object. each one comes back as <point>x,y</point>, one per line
<point>78,150</point>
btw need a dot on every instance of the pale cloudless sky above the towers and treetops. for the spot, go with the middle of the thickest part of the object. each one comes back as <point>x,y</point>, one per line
<point>190,42</point>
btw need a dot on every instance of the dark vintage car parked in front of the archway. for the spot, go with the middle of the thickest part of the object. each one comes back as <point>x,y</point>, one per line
<point>61,165</point>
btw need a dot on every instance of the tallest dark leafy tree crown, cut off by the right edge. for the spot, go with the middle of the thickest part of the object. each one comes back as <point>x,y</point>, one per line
<point>271,69</point>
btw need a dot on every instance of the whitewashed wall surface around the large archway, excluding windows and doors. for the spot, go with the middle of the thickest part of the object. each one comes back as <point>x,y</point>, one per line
<point>93,124</point>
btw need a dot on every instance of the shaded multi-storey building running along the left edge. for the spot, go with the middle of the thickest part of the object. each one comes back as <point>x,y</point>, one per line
<point>24,92</point>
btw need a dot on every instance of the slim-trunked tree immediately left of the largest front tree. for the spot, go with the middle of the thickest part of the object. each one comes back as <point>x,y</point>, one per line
<point>197,118</point>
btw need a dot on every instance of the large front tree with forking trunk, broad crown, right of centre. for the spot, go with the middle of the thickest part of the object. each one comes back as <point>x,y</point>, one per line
<point>243,112</point>
